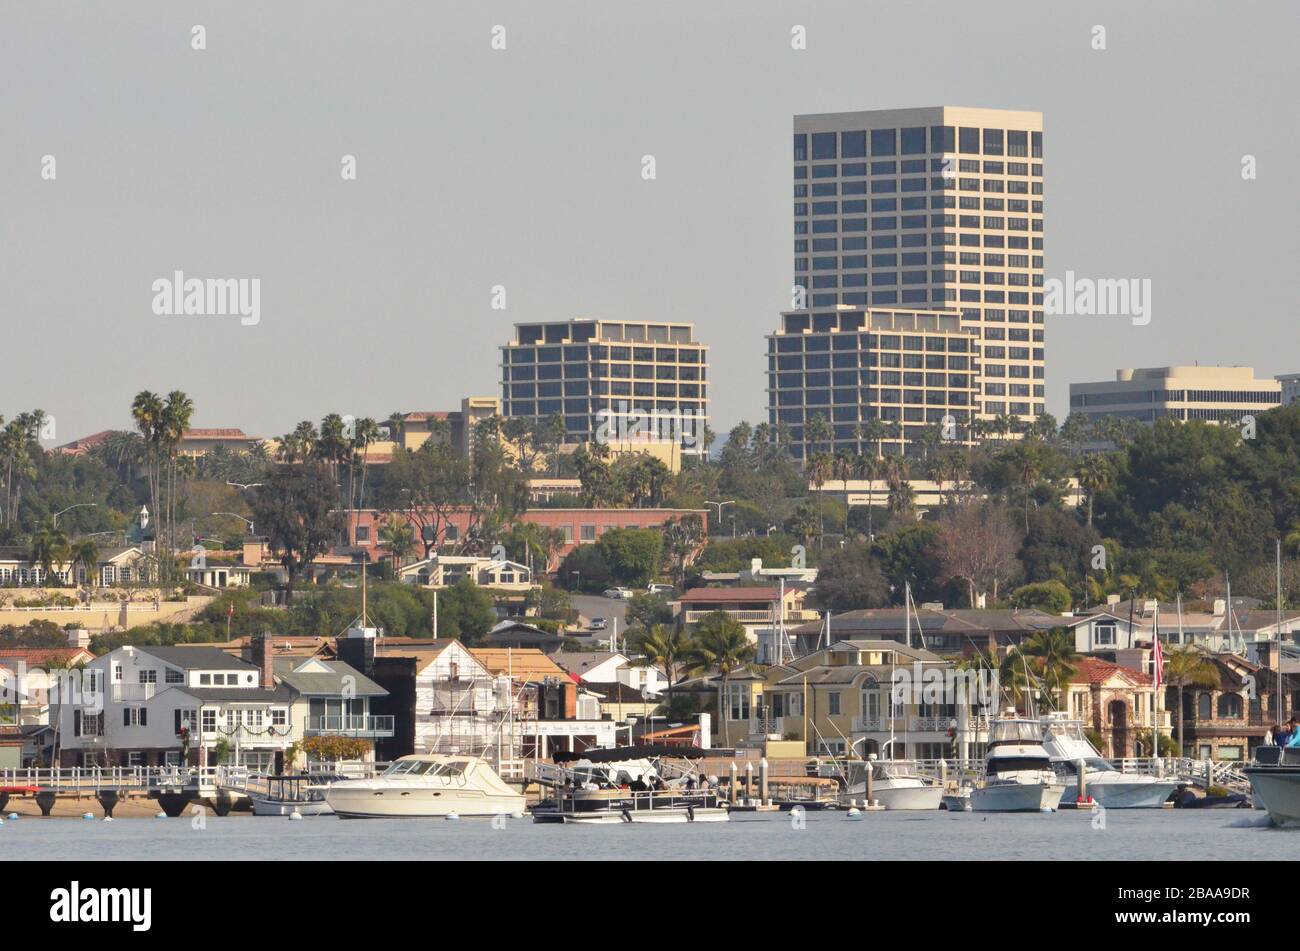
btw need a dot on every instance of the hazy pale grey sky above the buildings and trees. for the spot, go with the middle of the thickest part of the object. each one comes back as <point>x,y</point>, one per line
<point>523,168</point>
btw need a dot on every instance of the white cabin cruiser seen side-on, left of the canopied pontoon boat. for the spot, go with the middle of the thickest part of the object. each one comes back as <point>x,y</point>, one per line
<point>427,785</point>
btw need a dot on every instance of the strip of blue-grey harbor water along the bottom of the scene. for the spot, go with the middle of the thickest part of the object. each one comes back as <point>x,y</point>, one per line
<point>1068,836</point>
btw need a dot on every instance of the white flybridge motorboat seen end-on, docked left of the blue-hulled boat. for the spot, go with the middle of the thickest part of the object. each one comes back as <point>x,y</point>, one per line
<point>1019,775</point>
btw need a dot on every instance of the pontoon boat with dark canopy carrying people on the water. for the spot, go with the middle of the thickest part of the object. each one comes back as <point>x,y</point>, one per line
<point>626,785</point>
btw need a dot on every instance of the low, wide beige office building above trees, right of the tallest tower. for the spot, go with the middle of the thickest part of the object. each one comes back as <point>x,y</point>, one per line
<point>1216,394</point>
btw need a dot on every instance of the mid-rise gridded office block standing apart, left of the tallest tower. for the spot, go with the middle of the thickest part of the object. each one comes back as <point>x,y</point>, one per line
<point>625,384</point>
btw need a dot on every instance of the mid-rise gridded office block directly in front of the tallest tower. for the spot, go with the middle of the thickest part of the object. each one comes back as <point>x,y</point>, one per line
<point>853,367</point>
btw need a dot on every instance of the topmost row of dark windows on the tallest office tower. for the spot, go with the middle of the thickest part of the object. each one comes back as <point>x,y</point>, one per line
<point>917,141</point>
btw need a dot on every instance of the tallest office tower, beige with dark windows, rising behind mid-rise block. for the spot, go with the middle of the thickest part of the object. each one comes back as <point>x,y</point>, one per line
<point>935,209</point>
